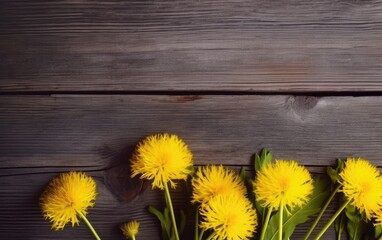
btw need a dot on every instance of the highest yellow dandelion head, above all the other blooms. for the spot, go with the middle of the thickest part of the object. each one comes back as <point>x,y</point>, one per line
<point>162,158</point>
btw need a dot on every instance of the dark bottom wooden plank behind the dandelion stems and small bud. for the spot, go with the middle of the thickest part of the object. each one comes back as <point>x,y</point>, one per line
<point>21,218</point>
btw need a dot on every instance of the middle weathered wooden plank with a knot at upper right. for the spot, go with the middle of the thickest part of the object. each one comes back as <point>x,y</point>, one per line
<point>87,130</point>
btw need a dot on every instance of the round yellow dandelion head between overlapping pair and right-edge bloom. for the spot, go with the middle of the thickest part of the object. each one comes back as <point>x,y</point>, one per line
<point>283,183</point>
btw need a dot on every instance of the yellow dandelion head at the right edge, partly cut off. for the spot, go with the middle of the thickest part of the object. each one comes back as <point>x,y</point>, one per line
<point>362,185</point>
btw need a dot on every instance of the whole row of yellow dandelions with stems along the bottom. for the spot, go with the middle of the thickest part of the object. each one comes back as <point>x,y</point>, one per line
<point>225,209</point>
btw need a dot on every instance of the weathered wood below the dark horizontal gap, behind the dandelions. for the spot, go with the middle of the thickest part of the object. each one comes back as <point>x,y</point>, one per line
<point>41,136</point>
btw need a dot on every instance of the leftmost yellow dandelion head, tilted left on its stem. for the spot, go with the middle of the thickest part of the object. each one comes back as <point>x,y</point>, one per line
<point>66,196</point>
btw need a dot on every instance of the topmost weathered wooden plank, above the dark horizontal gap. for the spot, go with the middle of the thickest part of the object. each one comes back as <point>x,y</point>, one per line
<point>259,46</point>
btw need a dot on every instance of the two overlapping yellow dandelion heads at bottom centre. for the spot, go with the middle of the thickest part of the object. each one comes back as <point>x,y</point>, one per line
<point>224,205</point>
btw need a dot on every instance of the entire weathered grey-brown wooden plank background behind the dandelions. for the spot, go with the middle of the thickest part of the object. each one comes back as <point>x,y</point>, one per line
<point>81,82</point>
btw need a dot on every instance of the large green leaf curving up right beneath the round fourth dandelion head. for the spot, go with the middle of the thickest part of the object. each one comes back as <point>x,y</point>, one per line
<point>297,216</point>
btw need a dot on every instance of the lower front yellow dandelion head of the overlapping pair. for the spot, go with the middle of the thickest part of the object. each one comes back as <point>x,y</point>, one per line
<point>231,217</point>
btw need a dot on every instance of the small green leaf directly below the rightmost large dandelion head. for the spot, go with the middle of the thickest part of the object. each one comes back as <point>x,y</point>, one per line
<point>355,226</point>
